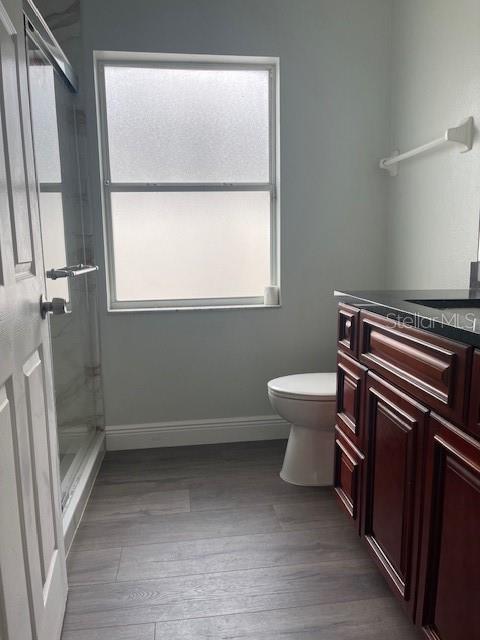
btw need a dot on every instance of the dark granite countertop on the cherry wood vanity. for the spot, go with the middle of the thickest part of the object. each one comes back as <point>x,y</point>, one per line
<point>453,313</point>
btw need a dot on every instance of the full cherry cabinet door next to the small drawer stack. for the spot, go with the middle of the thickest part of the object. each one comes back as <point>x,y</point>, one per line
<point>395,431</point>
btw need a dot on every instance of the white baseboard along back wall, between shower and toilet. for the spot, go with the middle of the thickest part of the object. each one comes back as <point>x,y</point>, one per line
<point>187,432</point>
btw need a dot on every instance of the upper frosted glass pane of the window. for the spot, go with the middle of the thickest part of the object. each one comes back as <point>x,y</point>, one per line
<point>187,125</point>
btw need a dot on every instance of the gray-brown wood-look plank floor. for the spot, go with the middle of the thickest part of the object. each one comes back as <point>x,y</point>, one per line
<point>197,543</point>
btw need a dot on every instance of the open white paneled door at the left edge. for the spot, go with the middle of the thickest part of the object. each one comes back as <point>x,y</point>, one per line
<point>33,582</point>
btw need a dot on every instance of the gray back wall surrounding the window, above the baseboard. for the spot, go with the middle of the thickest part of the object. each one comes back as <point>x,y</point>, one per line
<point>334,127</point>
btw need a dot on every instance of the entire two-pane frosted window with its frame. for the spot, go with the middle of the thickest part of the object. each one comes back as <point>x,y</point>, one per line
<point>189,167</point>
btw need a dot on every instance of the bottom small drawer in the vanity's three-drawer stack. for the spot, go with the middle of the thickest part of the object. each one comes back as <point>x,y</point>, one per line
<point>347,470</point>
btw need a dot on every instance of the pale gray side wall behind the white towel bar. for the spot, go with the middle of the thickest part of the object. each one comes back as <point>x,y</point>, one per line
<point>435,200</point>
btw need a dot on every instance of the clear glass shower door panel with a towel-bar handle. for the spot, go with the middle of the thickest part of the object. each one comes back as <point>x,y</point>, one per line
<point>65,242</point>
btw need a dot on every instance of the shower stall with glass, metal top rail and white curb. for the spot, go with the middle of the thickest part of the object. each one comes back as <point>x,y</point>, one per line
<point>58,135</point>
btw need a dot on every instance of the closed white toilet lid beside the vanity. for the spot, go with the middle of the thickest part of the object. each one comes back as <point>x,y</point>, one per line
<point>311,386</point>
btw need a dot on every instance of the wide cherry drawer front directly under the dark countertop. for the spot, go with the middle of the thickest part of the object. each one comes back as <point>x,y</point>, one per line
<point>430,367</point>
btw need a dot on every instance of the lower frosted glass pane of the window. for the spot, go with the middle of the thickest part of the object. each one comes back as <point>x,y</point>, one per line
<point>191,245</point>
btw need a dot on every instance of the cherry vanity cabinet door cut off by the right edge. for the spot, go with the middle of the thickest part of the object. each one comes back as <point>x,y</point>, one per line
<point>449,585</point>
